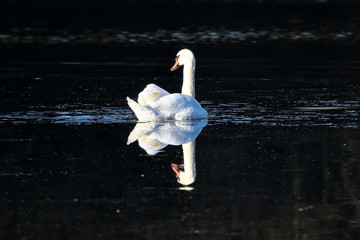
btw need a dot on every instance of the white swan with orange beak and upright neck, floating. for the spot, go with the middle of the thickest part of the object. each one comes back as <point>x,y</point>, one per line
<point>156,104</point>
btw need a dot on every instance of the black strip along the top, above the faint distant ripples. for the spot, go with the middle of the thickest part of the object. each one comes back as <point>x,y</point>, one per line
<point>24,17</point>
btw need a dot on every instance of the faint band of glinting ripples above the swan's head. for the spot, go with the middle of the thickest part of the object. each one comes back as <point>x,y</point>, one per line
<point>201,35</point>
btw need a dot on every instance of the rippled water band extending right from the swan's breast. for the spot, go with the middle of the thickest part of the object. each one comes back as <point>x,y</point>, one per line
<point>241,113</point>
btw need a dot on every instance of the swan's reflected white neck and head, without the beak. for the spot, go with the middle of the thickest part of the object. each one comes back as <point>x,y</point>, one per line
<point>188,176</point>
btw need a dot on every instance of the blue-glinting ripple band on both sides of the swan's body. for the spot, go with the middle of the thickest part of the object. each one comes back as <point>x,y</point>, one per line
<point>346,116</point>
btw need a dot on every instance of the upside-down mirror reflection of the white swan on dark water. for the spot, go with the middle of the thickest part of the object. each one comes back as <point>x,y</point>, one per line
<point>154,137</point>
